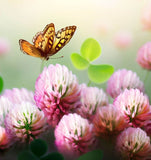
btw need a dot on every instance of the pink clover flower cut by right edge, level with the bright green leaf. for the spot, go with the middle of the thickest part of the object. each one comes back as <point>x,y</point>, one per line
<point>144,56</point>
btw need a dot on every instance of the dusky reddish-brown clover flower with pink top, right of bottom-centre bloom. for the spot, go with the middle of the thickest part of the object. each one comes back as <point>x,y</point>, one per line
<point>108,121</point>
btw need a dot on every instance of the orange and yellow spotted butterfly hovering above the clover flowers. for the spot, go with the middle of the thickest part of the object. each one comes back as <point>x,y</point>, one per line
<point>47,42</point>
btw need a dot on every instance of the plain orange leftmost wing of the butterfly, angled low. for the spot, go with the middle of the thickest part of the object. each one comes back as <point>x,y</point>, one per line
<point>30,49</point>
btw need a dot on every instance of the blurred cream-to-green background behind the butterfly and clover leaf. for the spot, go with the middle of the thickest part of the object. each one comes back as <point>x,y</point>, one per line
<point>22,19</point>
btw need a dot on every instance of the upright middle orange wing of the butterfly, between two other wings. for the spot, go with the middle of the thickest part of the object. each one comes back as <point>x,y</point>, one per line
<point>44,40</point>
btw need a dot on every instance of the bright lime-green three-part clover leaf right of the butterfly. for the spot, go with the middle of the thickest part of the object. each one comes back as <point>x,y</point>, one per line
<point>91,50</point>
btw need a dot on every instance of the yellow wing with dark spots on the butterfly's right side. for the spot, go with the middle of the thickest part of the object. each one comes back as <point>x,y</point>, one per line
<point>62,37</point>
